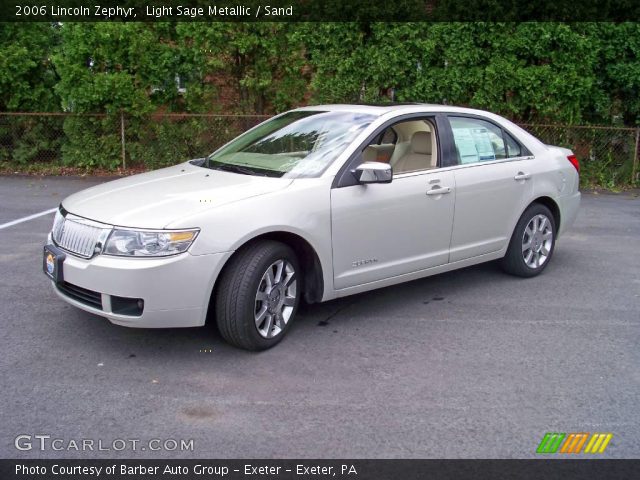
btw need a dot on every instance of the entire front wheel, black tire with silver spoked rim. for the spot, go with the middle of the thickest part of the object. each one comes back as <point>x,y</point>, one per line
<point>258,295</point>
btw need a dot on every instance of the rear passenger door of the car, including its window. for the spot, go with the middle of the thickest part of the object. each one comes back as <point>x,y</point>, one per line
<point>493,186</point>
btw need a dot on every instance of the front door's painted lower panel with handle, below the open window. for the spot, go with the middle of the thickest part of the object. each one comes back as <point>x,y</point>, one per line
<point>384,230</point>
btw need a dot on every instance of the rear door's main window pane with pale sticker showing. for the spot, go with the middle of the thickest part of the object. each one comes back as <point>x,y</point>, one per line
<point>477,140</point>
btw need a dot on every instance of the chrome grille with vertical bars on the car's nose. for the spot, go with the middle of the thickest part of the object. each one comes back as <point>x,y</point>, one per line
<point>76,235</point>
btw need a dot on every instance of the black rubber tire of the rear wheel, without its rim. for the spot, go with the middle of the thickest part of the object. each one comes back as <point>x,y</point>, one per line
<point>514,262</point>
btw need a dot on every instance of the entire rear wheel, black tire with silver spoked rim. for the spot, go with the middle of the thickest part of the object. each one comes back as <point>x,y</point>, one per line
<point>532,242</point>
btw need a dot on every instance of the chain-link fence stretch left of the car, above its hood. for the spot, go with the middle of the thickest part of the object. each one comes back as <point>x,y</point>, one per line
<point>110,142</point>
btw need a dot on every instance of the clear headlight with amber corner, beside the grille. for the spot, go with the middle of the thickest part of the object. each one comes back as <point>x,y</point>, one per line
<point>138,243</point>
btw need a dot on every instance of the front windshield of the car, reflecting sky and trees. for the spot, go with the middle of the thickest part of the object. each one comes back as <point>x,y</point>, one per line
<point>294,145</point>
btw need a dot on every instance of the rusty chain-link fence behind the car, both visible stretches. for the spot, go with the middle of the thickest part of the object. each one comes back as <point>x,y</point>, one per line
<point>608,155</point>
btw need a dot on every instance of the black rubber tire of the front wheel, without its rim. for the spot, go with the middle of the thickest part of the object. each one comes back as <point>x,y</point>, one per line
<point>235,299</point>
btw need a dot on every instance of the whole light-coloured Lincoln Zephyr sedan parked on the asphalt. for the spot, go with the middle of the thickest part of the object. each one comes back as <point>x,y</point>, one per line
<point>316,203</point>
